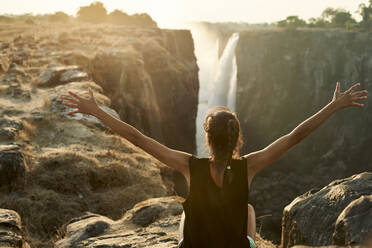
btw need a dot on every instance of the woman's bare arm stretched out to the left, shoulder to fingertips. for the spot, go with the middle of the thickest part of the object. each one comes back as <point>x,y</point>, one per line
<point>176,159</point>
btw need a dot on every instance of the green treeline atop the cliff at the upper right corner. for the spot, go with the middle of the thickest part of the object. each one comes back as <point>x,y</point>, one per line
<point>333,18</point>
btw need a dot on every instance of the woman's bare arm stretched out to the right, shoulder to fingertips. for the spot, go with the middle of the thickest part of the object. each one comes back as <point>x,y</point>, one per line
<point>257,161</point>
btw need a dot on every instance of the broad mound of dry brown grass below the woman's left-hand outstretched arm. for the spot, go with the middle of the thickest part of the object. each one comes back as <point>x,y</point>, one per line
<point>63,184</point>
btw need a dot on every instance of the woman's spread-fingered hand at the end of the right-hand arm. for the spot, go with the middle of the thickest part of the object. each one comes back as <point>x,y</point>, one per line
<point>349,98</point>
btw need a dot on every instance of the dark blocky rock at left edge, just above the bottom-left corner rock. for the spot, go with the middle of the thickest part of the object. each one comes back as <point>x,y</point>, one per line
<point>12,167</point>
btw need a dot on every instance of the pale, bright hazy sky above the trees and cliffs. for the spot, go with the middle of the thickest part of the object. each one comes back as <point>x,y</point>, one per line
<point>171,12</point>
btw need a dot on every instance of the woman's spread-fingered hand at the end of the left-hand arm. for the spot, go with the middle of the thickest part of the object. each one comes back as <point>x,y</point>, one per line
<point>84,106</point>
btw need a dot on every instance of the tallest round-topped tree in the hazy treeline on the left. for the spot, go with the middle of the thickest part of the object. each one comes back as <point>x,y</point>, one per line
<point>94,13</point>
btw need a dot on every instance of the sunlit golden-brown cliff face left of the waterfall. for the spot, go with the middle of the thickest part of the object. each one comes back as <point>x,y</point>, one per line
<point>149,75</point>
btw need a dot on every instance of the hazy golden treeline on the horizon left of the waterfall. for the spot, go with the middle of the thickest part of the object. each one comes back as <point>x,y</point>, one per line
<point>93,13</point>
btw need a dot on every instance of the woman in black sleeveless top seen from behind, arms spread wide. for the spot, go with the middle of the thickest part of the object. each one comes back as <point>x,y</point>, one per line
<point>216,211</point>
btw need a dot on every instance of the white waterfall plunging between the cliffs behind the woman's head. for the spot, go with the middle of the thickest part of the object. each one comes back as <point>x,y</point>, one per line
<point>217,78</point>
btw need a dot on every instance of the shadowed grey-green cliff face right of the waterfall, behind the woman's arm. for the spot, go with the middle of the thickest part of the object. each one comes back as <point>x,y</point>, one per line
<point>283,78</point>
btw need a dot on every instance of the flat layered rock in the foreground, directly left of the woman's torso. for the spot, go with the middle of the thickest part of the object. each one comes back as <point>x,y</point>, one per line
<point>160,216</point>
